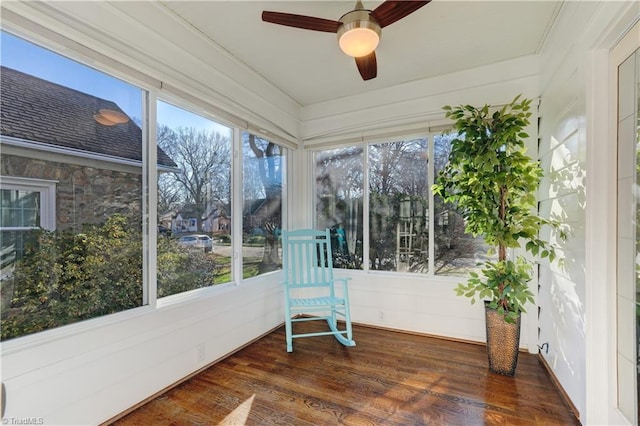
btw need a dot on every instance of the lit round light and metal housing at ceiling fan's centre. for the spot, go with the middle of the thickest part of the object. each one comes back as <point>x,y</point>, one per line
<point>359,33</point>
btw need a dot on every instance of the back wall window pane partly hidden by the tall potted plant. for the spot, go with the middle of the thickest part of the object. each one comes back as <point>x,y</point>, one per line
<point>456,252</point>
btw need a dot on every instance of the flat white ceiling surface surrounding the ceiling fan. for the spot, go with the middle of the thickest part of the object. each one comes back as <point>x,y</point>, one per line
<point>442,37</point>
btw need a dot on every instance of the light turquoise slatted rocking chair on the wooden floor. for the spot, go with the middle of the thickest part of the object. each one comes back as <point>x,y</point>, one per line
<point>309,286</point>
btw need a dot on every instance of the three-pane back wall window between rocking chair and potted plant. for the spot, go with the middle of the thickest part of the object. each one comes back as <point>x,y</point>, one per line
<point>408,230</point>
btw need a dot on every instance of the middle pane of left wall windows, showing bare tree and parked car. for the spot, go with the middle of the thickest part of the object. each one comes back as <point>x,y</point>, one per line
<point>194,202</point>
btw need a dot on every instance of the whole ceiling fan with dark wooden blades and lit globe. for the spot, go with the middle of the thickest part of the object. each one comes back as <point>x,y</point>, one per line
<point>358,31</point>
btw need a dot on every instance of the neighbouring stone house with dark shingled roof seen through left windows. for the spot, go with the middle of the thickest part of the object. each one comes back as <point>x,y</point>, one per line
<point>68,158</point>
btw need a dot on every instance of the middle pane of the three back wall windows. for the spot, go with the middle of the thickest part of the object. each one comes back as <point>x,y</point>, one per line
<point>399,206</point>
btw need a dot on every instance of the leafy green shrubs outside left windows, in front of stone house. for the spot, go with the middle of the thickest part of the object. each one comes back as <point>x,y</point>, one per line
<point>65,277</point>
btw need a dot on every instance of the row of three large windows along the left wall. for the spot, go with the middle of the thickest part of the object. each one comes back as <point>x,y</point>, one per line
<point>79,214</point>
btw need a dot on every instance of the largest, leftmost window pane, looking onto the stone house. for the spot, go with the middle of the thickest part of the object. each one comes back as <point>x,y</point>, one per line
<point>89,261</point>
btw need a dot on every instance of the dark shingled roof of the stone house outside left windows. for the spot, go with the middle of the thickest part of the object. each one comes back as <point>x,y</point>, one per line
<point>37,110</point>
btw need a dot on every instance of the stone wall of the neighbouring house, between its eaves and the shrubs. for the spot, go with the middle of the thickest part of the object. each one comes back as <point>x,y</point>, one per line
<point>84,194</point>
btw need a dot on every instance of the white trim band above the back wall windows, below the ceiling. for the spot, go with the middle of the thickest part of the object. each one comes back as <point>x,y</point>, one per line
<point>418,104</point>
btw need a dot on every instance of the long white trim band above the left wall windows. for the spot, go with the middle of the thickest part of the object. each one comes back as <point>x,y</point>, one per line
<point>115,38</point>
